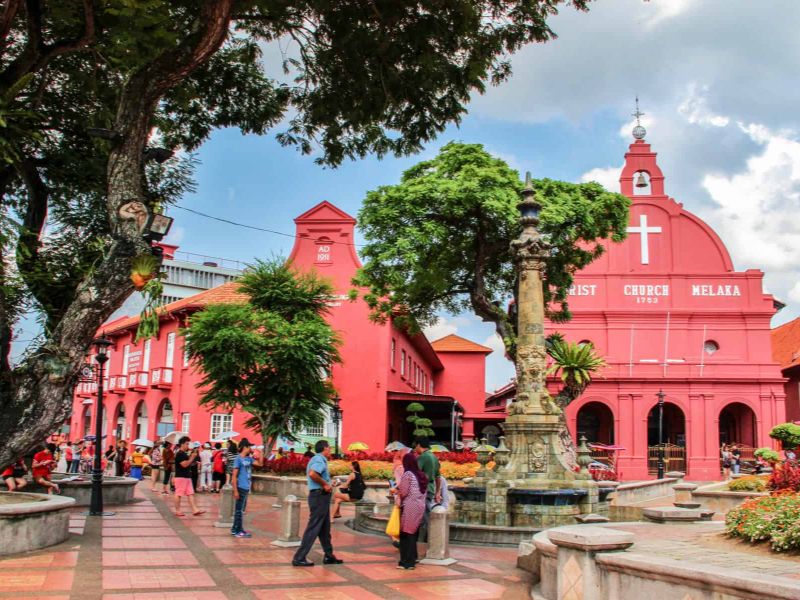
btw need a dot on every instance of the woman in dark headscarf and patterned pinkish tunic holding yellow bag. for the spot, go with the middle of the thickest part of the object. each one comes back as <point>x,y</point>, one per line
<point>412,491</point>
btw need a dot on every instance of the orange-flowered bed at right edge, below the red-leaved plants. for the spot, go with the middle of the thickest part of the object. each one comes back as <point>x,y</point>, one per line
<point>774,518</point>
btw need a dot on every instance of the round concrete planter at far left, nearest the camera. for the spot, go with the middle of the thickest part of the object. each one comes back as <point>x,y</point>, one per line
<point>35,521</point>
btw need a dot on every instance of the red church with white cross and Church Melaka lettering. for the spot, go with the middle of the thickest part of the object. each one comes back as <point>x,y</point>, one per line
<point>668,311</point>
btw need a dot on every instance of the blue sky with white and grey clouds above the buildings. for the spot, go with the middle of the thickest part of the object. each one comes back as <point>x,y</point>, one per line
<point>716,80</point>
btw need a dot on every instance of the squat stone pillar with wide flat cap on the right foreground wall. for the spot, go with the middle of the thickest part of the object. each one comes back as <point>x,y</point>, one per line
<point>578,574</point>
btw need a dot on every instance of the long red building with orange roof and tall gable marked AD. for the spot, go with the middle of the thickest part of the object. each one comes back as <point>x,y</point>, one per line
<point>152,388</point>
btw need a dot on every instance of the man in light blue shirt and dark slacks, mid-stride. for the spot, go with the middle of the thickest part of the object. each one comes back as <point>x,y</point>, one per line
<point>319,502</point>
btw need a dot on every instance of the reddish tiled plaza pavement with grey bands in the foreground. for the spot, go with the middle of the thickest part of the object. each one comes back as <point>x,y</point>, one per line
<point>144,552</point>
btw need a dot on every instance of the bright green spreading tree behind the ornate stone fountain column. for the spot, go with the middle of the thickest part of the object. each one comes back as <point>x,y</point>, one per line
<point>440,239</point>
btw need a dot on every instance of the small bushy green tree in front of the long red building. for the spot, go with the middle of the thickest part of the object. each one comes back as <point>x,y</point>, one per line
<point>271,356</point>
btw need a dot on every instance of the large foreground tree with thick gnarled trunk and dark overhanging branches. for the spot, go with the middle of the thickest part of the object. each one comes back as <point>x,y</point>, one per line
<point>95,94</point>
